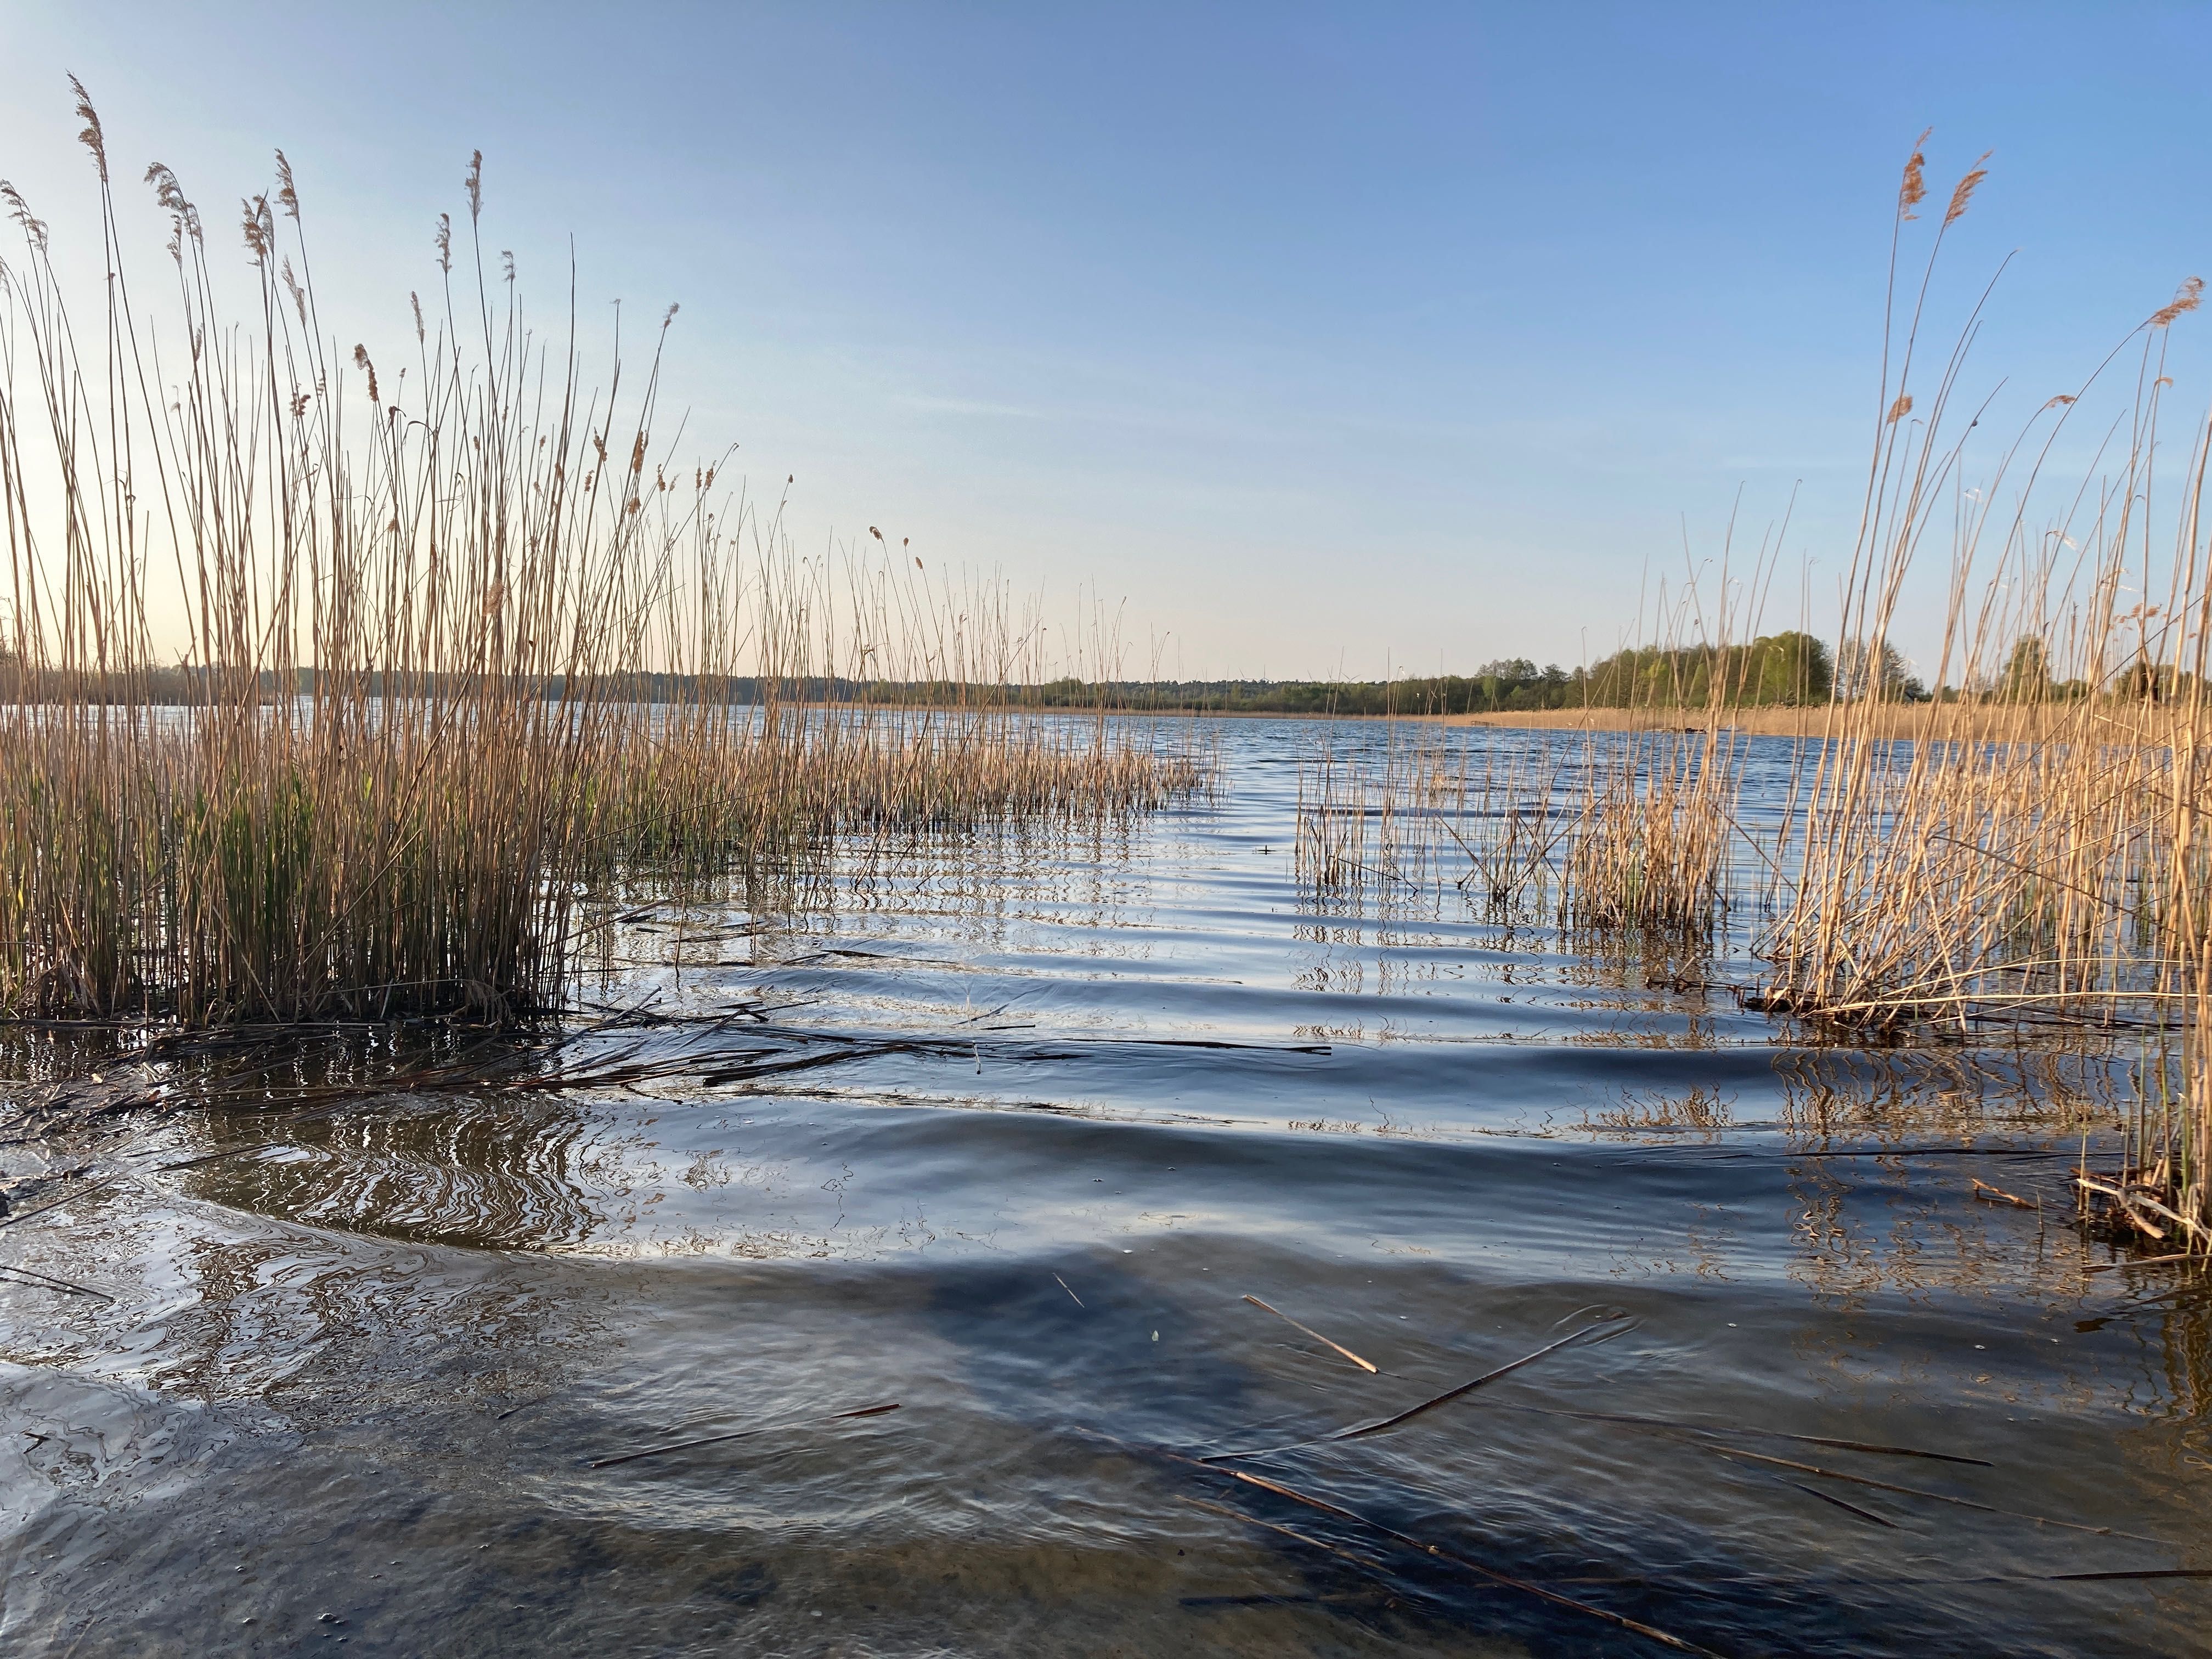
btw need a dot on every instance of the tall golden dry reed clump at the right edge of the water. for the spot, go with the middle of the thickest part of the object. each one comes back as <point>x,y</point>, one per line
<point>2034,851</point>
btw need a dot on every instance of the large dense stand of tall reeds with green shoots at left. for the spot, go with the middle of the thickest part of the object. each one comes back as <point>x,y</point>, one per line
<point>337,682</point>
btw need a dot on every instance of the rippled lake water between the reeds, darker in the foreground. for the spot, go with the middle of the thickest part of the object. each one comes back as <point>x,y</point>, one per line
<point>379,1377</point>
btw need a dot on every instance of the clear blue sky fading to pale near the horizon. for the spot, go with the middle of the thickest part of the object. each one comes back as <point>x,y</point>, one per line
<point>1326,337</point>
